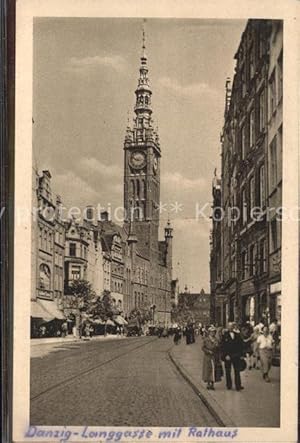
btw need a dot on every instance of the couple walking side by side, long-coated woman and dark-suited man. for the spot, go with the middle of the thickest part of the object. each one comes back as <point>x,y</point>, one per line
<point>229,349</point>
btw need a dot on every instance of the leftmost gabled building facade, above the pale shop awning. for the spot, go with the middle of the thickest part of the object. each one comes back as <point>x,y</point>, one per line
<point>48,237</point>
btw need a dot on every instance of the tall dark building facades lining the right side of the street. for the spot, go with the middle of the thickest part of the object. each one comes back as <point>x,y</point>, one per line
<point>251,181</point>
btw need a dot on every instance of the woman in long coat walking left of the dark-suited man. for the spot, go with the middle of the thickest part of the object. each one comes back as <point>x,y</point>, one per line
<point>211,359</point>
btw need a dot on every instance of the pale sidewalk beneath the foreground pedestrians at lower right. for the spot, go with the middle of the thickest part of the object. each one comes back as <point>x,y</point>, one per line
<point>258,405</point>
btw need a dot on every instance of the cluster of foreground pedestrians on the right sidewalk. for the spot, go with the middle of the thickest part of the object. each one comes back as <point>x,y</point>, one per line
<point>239,348</point>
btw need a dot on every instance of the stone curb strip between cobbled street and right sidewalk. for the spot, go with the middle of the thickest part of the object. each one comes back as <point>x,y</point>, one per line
<point>216,411</point>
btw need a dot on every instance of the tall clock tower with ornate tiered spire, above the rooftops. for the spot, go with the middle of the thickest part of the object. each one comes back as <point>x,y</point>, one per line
<point>142,165</point>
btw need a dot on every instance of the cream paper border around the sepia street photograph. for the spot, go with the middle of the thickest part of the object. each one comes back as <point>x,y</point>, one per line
<point>234,9</point>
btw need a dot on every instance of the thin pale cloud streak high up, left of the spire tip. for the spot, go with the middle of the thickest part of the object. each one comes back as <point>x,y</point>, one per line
<point>115,62</point>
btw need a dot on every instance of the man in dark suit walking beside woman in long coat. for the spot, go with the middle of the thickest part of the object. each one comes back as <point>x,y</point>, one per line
<point>232,351</point>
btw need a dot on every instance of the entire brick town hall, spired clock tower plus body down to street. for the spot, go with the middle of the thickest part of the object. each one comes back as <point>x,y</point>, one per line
<point>152,259</point>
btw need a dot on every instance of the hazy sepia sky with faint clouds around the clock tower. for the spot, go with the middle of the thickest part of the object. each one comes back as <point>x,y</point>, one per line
<point>85,75</point>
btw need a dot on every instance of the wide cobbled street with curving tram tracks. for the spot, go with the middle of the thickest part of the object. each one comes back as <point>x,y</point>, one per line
<point>129,382</point>
